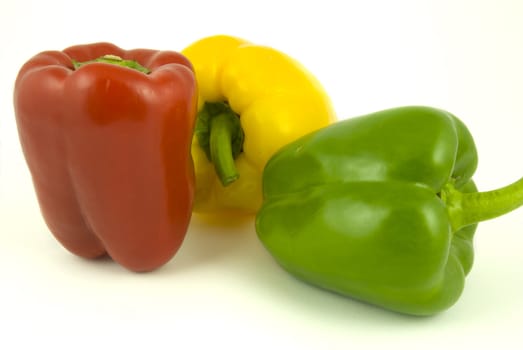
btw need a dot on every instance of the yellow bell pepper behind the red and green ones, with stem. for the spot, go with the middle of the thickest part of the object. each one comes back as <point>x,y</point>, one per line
<point>252,100</point>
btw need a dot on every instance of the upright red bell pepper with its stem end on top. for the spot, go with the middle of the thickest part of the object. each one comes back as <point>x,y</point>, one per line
<point>106,134</point>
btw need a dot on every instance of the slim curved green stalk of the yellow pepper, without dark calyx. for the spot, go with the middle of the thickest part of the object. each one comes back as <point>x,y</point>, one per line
<point>221,148</point>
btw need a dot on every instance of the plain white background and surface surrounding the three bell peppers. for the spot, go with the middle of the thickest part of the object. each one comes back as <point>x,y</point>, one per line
<point>222,289</point>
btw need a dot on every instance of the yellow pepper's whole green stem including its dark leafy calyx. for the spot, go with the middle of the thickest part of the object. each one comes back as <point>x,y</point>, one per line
<point>220,135</point>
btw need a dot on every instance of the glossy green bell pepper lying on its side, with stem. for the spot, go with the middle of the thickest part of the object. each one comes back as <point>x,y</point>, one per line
<point>381,208</point>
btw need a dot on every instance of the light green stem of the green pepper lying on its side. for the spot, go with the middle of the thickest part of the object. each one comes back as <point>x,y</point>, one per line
<point>470,208</point>
